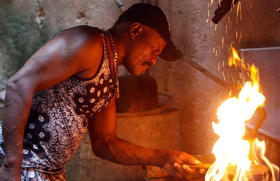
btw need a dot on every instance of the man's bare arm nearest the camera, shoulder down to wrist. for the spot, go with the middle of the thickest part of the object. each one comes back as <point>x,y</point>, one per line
<point>62,57</point>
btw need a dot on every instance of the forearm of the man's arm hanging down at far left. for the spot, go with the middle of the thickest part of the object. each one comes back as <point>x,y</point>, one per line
<point>16,111</point>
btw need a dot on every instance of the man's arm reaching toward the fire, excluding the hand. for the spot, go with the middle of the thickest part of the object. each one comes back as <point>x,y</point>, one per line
<point>108,145</point>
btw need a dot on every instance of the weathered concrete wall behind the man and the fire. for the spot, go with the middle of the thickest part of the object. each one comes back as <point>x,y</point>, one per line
<point>196,96</point>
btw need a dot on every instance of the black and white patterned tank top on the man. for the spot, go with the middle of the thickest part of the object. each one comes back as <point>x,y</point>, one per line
<point>59,116</point>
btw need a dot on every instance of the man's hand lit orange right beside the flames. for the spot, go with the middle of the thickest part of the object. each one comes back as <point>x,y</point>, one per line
<point>178,164</point>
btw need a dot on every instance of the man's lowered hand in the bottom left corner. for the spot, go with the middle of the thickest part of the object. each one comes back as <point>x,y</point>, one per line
<point>9,174</point>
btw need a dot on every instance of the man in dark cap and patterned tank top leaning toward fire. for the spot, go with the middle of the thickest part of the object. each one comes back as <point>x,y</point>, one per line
<point>71,84</point>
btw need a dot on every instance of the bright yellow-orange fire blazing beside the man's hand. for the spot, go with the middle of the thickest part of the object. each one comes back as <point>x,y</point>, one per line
<point>236,157</point>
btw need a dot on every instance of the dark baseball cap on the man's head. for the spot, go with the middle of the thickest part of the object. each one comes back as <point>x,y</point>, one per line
<point>155,18</point>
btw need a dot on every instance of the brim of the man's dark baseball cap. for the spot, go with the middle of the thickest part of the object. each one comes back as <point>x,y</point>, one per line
<point>171,52</point>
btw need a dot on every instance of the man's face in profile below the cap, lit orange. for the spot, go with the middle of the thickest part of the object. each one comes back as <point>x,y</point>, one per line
<point>143,51</point>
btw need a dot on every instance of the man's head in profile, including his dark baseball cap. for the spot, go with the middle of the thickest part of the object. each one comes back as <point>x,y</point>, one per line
<point>148,37</point>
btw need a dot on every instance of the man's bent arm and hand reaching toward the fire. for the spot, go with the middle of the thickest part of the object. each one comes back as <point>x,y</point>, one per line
<point>106,144</point>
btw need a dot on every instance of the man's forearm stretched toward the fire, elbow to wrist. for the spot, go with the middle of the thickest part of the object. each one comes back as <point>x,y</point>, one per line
<point>121,151</point>
